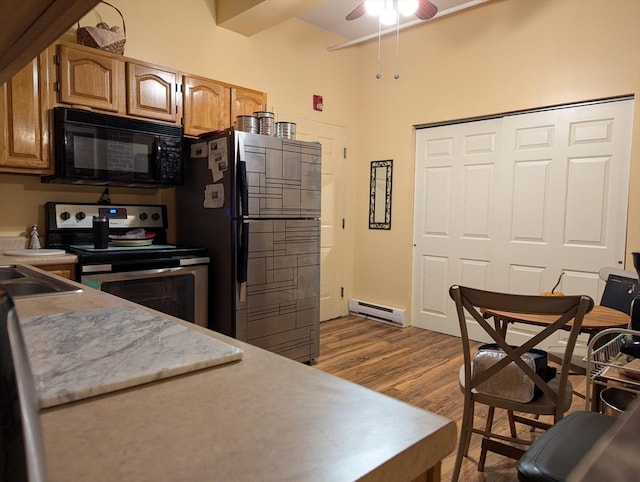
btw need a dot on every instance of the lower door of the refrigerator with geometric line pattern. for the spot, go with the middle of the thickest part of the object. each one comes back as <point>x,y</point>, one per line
<point>281,309</point>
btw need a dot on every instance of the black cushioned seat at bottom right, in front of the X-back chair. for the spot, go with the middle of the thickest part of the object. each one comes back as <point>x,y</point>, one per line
<point>556,452</point>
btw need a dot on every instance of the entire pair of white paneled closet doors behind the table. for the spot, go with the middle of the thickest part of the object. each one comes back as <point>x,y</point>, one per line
<point>509,204</point>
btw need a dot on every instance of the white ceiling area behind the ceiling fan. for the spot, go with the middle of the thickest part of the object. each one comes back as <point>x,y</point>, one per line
<point>331,16</point>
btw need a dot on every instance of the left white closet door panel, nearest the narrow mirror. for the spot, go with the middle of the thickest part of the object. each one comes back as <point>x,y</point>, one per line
<point>455,226</point>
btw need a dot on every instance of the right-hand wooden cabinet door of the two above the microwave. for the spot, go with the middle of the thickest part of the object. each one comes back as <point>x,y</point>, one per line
<point>152,92</point>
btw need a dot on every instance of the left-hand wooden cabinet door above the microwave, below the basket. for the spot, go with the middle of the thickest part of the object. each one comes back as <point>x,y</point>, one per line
<point>93,79</point>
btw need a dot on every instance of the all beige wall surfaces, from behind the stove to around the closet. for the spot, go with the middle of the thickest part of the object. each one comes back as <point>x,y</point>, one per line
<point>501,56</point>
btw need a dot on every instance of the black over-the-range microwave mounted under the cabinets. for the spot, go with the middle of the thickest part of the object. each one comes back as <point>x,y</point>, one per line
<point>101,149</point>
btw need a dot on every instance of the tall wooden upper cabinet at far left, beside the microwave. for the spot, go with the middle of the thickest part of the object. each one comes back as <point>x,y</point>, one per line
<point>24,126</point>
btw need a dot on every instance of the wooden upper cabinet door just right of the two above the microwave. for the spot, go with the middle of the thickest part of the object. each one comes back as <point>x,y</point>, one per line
<point>206,105</point>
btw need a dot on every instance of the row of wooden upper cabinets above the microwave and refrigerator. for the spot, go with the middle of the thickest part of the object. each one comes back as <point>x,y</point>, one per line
<point>105,81</point>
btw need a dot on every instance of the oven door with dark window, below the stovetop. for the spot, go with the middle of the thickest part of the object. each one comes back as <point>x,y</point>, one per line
<point>180,292</point>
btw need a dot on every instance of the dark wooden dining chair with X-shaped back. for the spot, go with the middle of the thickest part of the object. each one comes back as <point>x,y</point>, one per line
<point>555,398</point>
